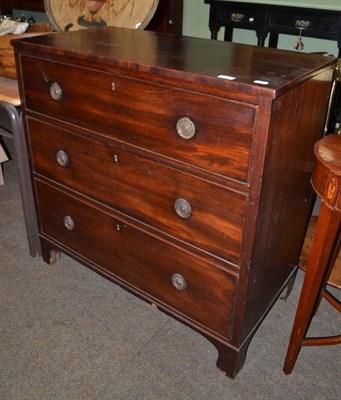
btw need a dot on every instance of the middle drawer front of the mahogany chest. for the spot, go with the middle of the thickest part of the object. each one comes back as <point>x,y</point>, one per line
<point>197,211</point>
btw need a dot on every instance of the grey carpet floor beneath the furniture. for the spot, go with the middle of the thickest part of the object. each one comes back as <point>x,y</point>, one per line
<point>68,333</point>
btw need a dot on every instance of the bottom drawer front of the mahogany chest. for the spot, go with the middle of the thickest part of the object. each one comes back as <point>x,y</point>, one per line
<point>200,291</point>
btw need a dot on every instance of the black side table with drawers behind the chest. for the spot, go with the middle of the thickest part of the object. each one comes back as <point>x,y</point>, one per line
<point>272,19</point>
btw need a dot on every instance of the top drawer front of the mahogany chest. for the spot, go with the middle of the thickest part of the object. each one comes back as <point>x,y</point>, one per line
<point>146,115</point>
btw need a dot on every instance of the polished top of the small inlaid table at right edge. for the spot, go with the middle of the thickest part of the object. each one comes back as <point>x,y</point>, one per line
<point>328,152</point>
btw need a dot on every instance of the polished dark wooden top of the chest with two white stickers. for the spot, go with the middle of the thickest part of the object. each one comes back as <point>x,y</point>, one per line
<point>255,70</point>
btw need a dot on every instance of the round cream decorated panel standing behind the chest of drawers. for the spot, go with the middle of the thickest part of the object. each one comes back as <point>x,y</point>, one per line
<point>65,15</point>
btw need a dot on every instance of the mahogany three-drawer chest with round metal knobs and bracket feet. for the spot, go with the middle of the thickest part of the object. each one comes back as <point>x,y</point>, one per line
<point>177,167</point>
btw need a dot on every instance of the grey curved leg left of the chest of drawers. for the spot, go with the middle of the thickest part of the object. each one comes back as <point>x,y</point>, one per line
<point>24,179</point>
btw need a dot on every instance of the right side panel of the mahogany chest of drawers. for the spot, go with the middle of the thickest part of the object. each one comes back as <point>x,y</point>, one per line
<point>297,122</point>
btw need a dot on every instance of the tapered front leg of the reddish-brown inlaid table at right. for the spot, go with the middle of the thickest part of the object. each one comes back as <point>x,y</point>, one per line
<point>326,231</point>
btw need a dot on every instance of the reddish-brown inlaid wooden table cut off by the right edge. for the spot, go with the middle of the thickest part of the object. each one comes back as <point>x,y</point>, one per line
<point>326,181</point>
